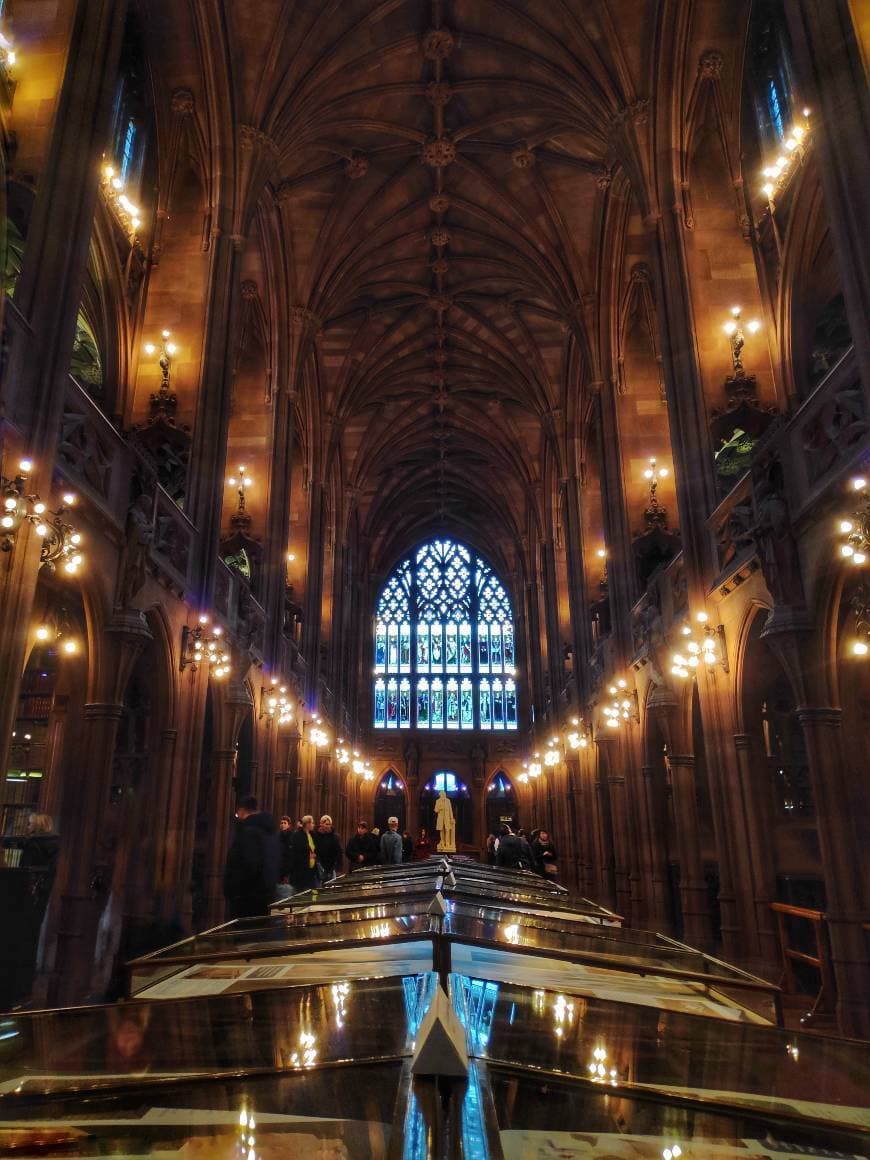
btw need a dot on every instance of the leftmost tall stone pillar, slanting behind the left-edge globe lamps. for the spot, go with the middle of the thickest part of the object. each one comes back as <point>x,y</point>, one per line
<point>48,295</point>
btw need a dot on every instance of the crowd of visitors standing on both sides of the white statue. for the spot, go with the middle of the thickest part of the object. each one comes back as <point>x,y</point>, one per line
<point>266,862</point>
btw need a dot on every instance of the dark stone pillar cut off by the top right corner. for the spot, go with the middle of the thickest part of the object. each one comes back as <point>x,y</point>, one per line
<point>833,83</point>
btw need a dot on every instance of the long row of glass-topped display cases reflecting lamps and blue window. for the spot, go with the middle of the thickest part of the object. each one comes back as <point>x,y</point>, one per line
<point>301,1033</point>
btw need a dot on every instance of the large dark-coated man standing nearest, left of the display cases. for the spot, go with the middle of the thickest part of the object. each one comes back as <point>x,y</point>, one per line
<point>253,864</point>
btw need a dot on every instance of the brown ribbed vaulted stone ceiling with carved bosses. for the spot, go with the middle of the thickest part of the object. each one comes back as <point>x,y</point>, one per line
<point>441,170</point>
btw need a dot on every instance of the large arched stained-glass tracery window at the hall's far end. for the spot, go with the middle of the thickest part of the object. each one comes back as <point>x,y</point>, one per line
<point>445,644</point>
